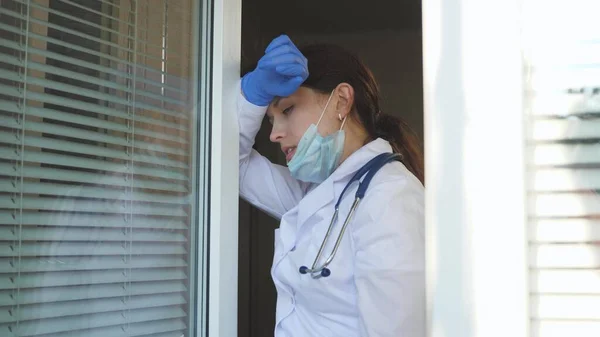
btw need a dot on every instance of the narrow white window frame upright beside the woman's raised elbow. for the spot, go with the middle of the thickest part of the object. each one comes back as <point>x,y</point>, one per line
<point>223,232</point>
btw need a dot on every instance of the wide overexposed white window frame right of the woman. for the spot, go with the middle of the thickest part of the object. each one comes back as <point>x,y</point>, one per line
<point>475,199</point>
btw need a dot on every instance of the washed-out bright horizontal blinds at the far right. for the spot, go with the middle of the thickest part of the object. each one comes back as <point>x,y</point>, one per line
<point>563,105</point>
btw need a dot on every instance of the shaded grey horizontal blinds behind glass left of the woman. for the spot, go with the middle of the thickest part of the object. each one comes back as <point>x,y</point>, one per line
<point>96,177</point>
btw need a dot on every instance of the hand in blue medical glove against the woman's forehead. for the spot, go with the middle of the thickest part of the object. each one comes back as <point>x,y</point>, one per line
<point>280,72</point>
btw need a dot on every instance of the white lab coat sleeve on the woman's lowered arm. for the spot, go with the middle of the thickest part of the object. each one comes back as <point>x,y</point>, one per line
<point>390,262</point>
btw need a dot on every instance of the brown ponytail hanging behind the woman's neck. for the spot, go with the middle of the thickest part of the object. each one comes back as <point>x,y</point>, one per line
<point>403,141</point>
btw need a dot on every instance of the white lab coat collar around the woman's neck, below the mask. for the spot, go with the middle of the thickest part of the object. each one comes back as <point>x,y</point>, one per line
<point>324,193</point>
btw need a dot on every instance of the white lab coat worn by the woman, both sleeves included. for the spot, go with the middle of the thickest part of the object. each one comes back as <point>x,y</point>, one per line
<point>377,282</point>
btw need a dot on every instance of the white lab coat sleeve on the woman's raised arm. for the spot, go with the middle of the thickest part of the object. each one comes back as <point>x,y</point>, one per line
<point>265,185</point>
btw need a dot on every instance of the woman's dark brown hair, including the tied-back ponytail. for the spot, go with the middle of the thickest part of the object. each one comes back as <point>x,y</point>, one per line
<point>330,65</point>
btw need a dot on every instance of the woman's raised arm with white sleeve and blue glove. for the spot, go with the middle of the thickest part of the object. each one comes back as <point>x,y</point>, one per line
<point>279,73</point>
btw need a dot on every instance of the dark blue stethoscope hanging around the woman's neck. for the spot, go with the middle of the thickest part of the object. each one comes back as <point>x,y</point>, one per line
<point>368,171</point>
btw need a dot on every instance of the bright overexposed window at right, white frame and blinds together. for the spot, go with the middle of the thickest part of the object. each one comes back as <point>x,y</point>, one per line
<point>512,100</point>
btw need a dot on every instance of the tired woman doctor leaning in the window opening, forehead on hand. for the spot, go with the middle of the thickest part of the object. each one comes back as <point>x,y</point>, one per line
<point>358,271</point>
